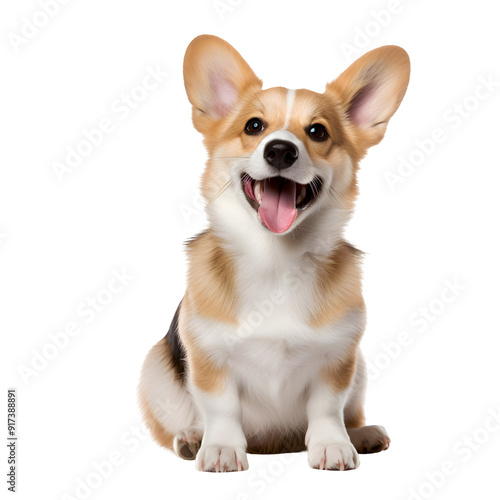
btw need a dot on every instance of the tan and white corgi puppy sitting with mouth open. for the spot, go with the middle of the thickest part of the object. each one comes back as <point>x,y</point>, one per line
<point>262,355</point>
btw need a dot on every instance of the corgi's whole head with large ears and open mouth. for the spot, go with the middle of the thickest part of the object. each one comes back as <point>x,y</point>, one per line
<point>285,155</point>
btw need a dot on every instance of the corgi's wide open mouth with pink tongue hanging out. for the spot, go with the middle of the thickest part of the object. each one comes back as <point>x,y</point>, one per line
<point>278,200</point>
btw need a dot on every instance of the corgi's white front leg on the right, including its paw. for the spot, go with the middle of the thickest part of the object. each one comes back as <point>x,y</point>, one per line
<point>327,440</point>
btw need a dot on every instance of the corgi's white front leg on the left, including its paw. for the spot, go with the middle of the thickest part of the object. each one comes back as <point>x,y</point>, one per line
<point>223,448</point>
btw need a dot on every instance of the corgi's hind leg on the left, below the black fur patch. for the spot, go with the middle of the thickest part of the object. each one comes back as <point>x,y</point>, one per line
<point>167,406</point>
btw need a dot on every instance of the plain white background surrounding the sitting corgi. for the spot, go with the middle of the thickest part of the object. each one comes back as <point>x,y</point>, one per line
<point>132,202</point>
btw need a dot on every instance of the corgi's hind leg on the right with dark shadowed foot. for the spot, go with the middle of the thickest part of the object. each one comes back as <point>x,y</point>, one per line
<point>365,438</point>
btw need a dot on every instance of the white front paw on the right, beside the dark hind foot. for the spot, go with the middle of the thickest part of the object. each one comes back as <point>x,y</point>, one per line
<point>333,456</point>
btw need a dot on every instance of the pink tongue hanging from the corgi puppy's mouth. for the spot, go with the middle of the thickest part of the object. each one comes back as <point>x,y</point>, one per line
<point>277,209</point>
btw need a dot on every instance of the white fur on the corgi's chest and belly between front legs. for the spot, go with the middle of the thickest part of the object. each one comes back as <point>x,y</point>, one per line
<point>273,354</point>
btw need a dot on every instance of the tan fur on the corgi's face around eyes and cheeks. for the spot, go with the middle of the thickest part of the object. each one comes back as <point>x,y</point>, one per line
<point>226,138</point>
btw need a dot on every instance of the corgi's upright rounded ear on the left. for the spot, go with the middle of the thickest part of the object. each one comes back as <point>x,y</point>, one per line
<point>215,76</point>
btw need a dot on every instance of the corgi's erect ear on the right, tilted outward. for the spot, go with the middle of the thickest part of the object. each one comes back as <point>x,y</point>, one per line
<point>371,90</point>
